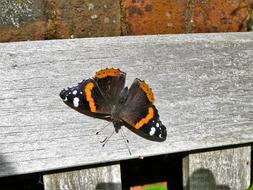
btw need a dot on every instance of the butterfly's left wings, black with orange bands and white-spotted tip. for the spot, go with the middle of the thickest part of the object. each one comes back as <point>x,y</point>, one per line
<point>96,96</point>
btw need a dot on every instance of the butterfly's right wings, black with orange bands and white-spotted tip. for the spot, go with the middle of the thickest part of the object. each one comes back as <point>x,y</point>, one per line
<point>140,112</point>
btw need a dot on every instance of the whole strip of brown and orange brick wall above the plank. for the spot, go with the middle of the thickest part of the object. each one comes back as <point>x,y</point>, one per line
<point>54,19</point>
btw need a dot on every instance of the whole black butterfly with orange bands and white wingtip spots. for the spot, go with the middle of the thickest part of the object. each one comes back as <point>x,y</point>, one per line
<point>105,97</point>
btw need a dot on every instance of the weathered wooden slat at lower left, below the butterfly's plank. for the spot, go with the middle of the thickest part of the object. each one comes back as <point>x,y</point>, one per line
<point>106,178</point>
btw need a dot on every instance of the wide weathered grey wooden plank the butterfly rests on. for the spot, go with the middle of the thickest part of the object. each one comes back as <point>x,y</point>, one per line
<point>203,85</point>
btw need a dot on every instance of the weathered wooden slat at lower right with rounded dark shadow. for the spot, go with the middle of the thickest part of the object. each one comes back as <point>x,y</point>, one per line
<point>220,169</point>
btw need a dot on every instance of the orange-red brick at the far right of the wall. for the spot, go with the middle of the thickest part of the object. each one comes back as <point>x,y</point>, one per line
<point>220,16</point>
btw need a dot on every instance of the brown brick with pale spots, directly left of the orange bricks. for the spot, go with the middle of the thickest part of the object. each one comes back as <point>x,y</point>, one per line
<point>83,18</point>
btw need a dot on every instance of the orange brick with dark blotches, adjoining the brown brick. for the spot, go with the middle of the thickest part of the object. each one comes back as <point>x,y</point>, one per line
<point>155,17</point>
